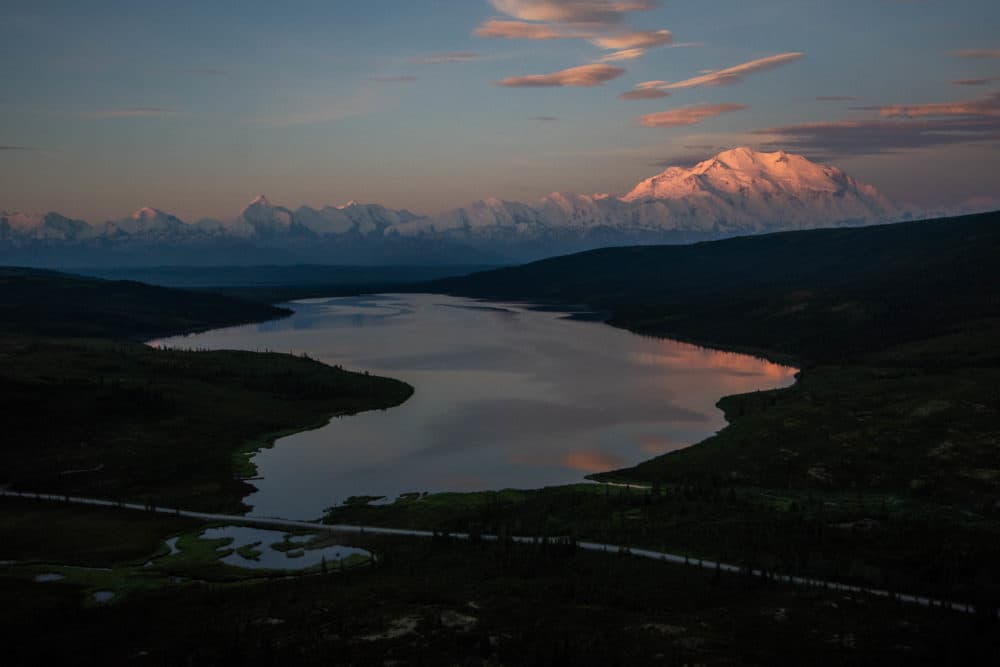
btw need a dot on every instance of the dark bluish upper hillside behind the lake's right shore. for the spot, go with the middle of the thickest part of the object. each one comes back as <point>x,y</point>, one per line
<point>820,296</point>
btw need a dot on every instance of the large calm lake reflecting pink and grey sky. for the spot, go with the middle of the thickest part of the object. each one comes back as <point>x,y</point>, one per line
<point>505,397</point>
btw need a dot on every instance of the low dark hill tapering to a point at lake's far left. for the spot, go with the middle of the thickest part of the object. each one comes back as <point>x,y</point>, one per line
<point>47,303</point>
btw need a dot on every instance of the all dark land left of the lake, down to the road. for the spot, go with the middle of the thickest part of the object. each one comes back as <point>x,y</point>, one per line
<point>89,410</point>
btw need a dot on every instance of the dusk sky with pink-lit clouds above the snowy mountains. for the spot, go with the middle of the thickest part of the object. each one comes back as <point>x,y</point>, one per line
<point>197,107</point>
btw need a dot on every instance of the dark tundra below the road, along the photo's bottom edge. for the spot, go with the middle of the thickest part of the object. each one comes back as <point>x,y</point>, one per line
<point>439,602</point>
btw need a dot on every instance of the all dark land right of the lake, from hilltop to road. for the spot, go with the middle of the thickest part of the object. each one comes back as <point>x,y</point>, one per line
<point>879,466</point>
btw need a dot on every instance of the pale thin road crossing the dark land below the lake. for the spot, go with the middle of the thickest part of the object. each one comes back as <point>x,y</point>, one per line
<point>587,546</point>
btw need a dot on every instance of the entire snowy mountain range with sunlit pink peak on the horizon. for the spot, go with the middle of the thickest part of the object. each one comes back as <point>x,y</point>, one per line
<point>737,192</point>
